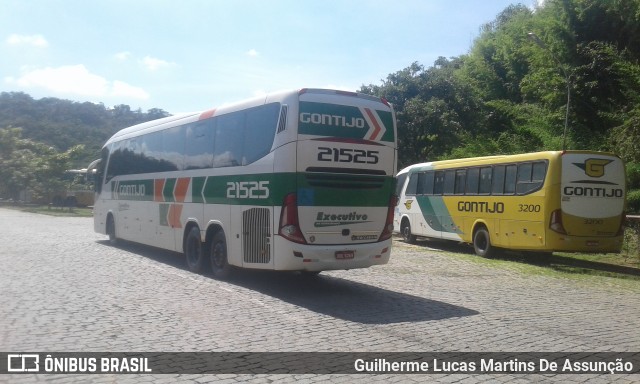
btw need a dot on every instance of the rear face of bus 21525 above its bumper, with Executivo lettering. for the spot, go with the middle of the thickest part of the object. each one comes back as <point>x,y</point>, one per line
<point>345,167</point>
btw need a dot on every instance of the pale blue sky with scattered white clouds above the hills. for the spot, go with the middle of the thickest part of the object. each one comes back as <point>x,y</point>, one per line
<point>193,55</point>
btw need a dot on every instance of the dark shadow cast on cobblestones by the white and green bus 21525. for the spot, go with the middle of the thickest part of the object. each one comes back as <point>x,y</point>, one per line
<point>332,296</point>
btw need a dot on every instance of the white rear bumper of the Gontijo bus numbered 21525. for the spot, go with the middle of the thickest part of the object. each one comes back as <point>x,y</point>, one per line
<point>306,257</point>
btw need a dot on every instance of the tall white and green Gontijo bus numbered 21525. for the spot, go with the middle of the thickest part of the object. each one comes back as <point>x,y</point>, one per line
<point>300,180</point>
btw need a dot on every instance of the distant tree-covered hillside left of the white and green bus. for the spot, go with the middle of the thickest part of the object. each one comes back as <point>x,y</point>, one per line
<point>41,139</point>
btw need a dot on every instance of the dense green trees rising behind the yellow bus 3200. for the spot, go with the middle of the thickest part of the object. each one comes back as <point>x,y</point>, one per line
<point>509,94</point>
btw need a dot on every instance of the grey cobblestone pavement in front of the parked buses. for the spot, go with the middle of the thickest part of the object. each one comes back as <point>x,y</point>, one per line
<point>63,288</point>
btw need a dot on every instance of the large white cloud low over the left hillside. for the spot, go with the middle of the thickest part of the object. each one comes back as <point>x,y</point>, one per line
<point>76,80</point>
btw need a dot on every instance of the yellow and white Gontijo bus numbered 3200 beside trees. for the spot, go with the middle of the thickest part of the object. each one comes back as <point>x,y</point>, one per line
<point>570,201</point>
